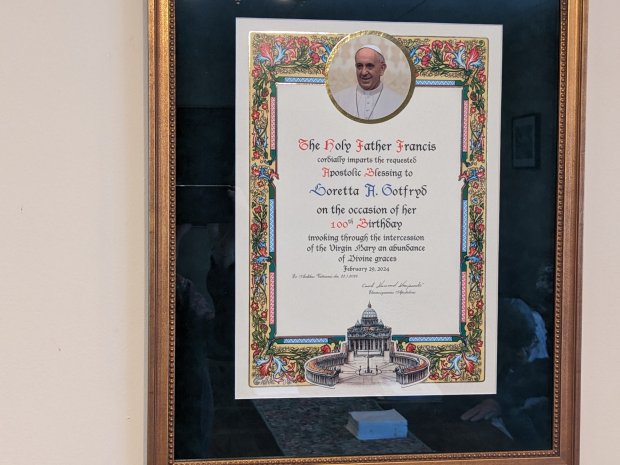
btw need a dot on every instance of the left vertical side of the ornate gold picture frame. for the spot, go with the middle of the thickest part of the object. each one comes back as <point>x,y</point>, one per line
<point>161,247</point>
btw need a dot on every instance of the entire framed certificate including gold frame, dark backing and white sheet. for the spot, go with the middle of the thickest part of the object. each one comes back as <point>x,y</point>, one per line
<point>347,261</point>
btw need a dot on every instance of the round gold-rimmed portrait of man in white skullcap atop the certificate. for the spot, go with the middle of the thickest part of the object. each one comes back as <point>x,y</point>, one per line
<point>370,78</point>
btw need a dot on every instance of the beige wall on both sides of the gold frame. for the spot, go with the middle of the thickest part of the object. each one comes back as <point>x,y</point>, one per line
<point>73,235</point>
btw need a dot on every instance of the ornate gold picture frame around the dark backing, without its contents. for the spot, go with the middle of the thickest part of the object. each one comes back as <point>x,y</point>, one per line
<point>567,284</point>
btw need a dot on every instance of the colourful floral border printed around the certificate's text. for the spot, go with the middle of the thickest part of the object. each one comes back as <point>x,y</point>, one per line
<point>453,62</point>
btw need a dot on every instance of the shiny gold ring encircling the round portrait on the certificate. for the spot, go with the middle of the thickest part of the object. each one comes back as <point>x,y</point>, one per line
<point>385,36</point>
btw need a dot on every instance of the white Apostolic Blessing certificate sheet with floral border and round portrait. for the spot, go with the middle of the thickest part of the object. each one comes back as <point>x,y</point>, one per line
<point>384,198</point>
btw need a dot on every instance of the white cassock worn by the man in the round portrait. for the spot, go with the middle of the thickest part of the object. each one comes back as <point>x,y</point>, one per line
<point>369,104</point>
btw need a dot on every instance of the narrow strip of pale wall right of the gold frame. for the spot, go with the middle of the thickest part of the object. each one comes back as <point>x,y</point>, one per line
<point>600,409</point>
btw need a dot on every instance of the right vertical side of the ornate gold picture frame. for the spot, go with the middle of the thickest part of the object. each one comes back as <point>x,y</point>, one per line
<point>571,143</point>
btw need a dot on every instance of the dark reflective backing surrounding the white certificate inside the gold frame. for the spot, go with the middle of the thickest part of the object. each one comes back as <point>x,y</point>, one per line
<point>209,422</point>
